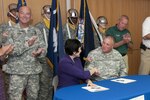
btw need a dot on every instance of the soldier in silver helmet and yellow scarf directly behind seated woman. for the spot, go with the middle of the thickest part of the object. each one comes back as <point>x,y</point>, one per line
<point>70,28</point>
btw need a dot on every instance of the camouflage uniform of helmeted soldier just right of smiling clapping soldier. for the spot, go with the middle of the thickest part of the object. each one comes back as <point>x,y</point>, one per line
<point>46,88</point>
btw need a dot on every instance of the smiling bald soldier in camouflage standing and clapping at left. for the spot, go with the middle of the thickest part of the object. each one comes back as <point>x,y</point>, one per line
<point>23,64</point>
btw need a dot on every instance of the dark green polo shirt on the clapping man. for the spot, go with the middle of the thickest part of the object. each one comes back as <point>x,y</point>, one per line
<point>118,36</point>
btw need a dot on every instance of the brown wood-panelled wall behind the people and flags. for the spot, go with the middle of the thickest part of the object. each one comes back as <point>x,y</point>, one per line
<point>137,10</point>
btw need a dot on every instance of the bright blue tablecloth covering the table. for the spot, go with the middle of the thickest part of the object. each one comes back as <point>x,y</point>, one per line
<point>117,91</point>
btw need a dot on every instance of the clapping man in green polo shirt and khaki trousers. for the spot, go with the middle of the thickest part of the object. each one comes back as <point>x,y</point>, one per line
<point>121,36</point>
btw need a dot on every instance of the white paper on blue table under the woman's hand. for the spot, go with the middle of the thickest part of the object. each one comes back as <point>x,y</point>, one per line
<point>95,89</point>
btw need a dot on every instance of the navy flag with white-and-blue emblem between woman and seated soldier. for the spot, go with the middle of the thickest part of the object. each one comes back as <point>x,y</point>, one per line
<point>85,27</point>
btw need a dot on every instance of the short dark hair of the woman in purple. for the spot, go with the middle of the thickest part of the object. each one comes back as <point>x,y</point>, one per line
<point>72,45</point>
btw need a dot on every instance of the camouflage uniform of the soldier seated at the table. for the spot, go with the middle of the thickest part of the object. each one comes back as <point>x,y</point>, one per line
<point>110,65</point>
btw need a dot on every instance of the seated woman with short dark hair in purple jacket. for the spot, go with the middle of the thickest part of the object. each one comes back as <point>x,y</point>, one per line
<point>70,69</point>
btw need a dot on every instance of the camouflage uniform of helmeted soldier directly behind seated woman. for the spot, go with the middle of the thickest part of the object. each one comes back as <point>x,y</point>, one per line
<point>73,32</point>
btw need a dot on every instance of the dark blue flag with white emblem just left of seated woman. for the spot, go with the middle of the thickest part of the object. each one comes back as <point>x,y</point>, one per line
<point>55,40</point>
